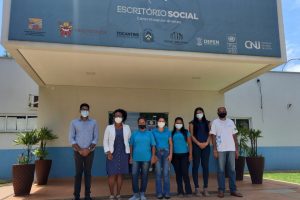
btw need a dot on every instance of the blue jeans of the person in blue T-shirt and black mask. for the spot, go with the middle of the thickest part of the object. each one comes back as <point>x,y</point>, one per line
<point>140,167</point>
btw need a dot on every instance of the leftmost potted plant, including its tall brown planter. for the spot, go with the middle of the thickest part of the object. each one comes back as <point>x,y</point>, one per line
<point>23,172</point>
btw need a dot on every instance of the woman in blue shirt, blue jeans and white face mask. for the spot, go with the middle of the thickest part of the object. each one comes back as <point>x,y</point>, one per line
<point>164,151</point>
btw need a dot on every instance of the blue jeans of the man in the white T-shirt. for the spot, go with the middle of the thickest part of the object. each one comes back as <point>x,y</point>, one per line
<point>229,158</point>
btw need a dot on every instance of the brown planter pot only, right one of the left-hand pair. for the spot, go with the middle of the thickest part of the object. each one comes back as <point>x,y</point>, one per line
<point>42,170</point>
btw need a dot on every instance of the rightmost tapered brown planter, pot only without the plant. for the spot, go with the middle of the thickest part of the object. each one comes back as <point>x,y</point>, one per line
<point>256,167</point>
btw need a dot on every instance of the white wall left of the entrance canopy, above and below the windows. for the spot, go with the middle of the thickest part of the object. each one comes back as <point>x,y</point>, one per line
<point>15,87</point>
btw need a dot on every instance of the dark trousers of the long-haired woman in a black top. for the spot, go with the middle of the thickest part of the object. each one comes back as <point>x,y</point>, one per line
<point>203,156</point>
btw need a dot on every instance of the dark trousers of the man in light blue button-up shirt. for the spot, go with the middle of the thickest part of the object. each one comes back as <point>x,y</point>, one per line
<point>83,165</point>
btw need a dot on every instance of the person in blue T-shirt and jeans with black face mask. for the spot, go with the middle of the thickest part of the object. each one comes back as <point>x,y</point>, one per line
<point>142,154</point>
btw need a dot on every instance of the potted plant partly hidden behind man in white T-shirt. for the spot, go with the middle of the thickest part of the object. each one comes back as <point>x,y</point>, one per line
<point>243,149</point>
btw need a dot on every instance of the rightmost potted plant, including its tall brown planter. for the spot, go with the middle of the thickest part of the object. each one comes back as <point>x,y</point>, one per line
<point>255,162</point>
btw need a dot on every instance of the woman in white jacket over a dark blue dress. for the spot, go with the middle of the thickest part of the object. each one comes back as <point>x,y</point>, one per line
<point>117,150</point>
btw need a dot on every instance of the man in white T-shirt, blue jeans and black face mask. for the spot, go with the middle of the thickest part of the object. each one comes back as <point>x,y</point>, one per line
<point>225,146</point>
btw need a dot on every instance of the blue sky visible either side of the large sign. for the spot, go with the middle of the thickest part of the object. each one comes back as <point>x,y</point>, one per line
<point>291,19</point>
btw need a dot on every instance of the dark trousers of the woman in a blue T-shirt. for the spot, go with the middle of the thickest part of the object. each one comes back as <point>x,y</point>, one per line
<point>181,165</point>
